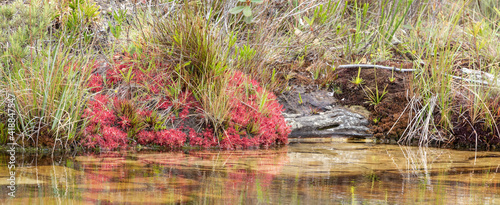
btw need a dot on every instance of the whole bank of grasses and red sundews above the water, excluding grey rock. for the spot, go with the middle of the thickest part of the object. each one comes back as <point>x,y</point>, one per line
<point>206,73</point>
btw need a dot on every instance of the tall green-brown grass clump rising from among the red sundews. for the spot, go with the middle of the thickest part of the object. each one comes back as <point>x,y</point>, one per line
<point>201,54</point>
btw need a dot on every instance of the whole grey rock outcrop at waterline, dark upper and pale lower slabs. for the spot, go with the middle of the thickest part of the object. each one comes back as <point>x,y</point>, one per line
<point>314,112</point>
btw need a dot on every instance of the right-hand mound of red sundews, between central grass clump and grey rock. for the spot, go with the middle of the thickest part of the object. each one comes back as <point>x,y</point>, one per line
<point>255,115</point>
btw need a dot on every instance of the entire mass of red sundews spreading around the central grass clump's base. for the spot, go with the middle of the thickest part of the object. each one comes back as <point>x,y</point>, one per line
<point>255,115</point>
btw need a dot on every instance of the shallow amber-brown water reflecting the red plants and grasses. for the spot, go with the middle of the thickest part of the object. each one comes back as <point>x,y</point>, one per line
<point>321,173</point>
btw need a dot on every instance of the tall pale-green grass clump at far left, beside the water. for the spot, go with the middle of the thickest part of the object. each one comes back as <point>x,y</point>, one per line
<point>50,91</point>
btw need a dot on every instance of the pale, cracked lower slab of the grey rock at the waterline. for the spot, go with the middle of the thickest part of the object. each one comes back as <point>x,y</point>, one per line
<point>337,122</point>
